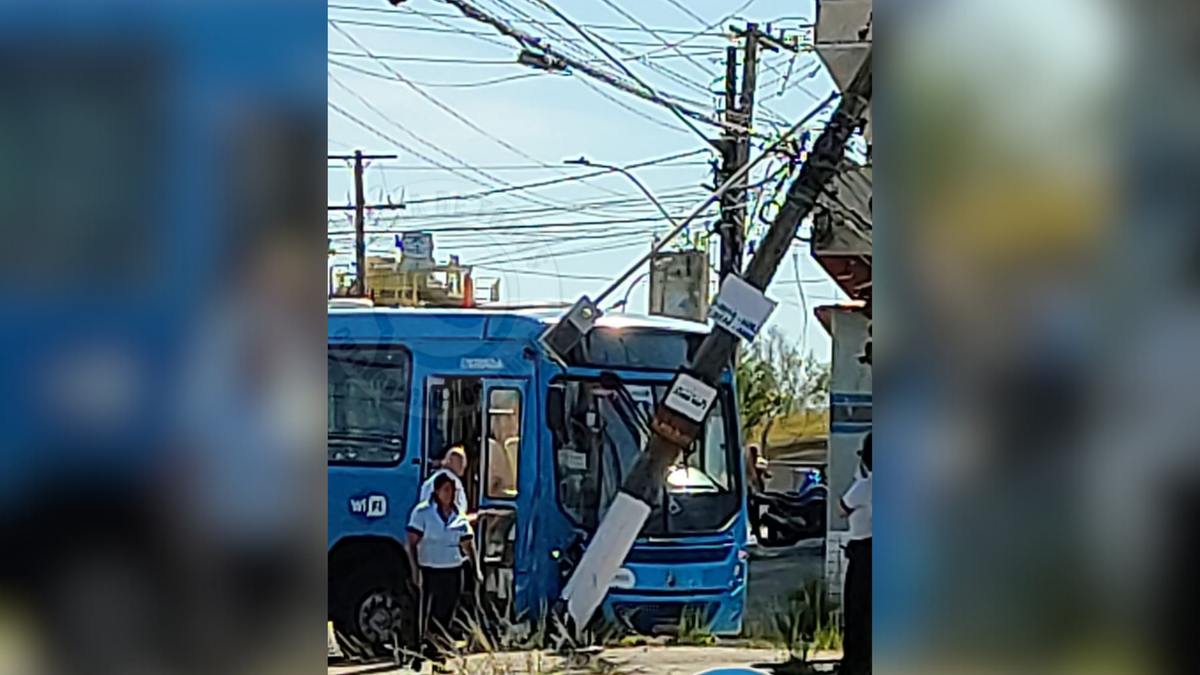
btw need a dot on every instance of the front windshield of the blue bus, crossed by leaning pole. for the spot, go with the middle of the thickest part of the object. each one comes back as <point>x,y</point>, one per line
<point>601,427</point>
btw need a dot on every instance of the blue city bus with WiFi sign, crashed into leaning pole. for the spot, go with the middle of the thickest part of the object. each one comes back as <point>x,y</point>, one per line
<point>548,447</point>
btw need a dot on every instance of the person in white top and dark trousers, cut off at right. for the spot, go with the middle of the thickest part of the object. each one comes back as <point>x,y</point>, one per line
<point>856,505</point>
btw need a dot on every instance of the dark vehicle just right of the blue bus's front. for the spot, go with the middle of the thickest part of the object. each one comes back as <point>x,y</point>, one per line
<point>791,517</point>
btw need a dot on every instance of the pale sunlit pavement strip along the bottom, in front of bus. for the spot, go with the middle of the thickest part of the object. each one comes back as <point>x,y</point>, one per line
<point>623,661</point>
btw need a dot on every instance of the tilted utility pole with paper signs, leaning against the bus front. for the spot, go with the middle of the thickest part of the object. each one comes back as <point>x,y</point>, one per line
<point>681,415</point>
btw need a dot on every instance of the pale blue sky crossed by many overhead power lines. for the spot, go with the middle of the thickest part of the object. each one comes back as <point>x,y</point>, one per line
<point>530,122</point>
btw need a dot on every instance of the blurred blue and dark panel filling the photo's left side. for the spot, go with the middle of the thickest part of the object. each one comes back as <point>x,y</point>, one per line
<point>155,194</point>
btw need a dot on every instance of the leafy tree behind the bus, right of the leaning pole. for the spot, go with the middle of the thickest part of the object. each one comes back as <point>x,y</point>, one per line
<point>775,380</point>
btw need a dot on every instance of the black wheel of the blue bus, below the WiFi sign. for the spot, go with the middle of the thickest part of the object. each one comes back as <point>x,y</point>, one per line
<point>373,606</point>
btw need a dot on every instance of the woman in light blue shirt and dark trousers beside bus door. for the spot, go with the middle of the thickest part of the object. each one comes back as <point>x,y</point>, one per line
<point>441,543</point>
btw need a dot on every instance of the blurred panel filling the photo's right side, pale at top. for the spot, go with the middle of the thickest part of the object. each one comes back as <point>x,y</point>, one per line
<point>1039,405</point>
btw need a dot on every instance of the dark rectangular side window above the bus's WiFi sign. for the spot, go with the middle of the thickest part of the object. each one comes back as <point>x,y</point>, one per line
<point>368,404</point>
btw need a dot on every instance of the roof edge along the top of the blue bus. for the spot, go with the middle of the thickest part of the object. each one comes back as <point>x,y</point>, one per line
<point>483,324</point>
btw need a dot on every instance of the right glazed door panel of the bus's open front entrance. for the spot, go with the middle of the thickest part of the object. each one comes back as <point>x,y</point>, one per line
<point>507,437</point>
